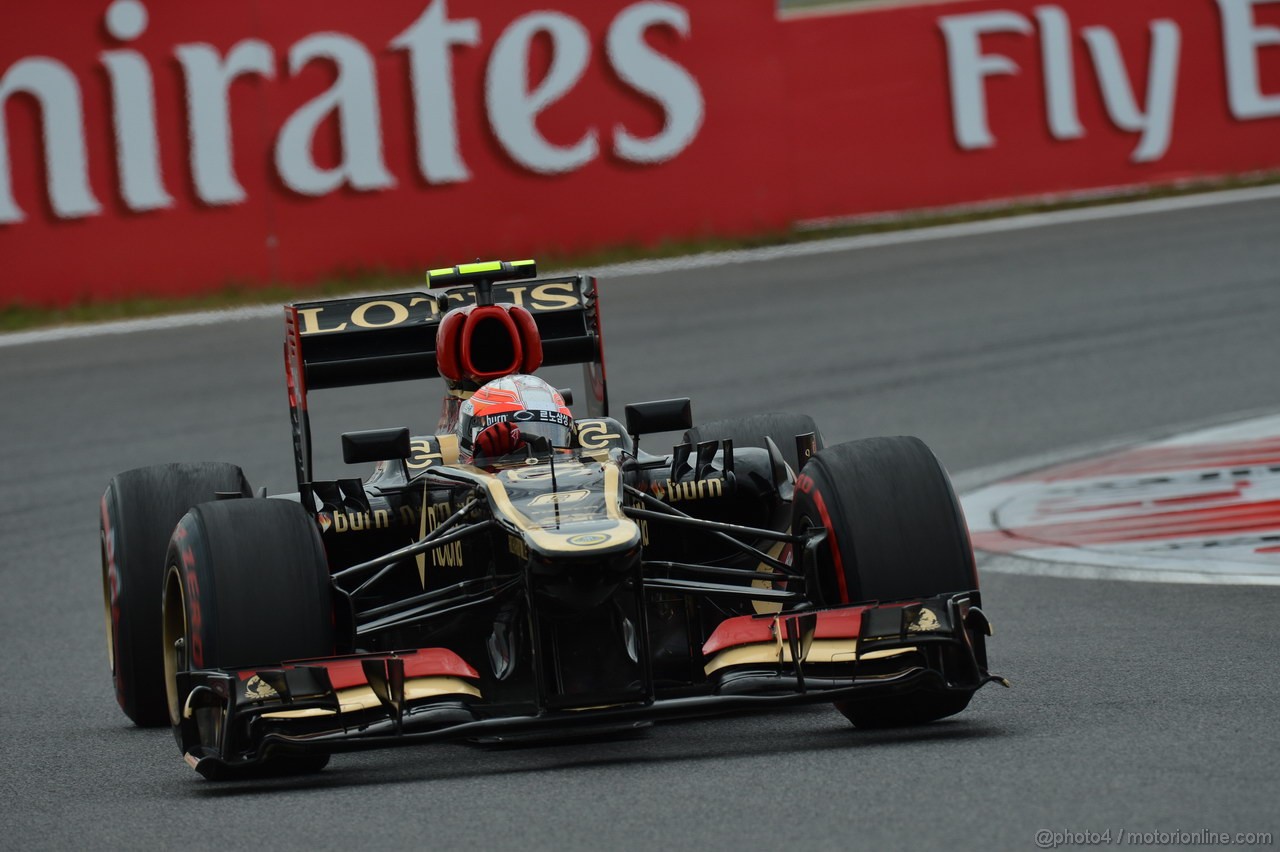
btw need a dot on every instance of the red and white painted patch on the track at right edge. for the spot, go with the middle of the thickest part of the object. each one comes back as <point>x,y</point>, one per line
<point>1203,507</point>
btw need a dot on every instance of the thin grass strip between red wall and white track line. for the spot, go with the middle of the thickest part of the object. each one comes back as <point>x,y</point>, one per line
<point>17,317</point>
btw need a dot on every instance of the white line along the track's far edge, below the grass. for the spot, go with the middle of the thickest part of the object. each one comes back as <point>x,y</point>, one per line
<point>717,259</point>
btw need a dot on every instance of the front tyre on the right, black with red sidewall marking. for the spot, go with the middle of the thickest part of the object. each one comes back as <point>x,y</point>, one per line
<point>895,532</point>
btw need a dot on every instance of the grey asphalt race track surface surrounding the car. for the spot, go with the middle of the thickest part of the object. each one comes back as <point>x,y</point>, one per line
<point>1136,707</point>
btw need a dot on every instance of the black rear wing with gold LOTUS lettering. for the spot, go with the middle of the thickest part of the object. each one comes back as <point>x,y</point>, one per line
<point>342,343</point>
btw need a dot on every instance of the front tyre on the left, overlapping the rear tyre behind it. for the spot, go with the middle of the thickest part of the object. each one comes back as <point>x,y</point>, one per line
<point>246,585</point>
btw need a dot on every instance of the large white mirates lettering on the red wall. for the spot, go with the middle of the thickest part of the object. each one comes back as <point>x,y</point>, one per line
<point>351,106</point>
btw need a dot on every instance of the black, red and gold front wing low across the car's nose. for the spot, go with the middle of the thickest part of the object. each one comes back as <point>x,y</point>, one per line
<point>239,720</point>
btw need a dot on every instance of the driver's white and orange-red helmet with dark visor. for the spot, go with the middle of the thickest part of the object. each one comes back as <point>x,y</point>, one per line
<point>504,415</point>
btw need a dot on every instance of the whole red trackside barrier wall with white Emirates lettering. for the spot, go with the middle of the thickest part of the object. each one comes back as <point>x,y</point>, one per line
<point>414,132</point>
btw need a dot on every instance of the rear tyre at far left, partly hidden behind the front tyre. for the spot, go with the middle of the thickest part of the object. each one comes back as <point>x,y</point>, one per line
<point>139,512</point>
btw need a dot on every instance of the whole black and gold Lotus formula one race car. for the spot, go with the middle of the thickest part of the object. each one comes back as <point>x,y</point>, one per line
<point>524,572</point>
